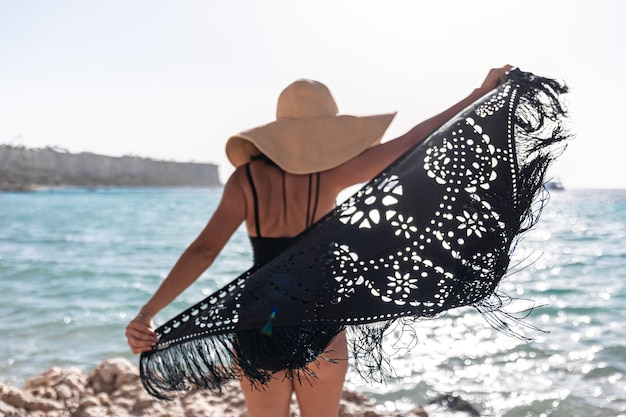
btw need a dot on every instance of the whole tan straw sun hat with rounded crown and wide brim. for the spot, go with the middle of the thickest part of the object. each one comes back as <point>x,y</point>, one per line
<point>308,135</point>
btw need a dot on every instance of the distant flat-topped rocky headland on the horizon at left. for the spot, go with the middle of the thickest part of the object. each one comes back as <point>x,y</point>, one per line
<point>26,169</point>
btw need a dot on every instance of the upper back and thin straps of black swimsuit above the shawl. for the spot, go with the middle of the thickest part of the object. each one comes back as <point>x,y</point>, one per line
<point>265,248</point>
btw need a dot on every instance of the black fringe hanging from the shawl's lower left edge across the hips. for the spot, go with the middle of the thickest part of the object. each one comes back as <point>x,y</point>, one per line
<point>211,361</point>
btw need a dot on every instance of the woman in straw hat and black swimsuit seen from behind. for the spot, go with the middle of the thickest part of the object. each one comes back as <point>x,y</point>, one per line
<point>288,175</point>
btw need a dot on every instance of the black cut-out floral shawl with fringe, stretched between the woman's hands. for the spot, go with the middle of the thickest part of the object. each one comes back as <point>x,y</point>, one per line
<point>434,231</point>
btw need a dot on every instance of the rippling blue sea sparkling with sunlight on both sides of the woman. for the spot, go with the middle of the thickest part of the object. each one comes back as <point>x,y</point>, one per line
<point>77,264</point>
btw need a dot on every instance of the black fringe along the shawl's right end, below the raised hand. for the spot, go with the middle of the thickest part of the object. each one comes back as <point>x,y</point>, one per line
<point>540,135</point>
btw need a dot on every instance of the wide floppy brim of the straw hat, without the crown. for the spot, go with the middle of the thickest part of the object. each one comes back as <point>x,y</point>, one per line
<point>306,145</point>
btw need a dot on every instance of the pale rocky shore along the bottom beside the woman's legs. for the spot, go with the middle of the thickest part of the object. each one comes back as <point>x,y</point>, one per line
<point>113,389</point>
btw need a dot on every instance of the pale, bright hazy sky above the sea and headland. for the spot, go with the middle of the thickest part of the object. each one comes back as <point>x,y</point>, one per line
<point>174,79</point>
